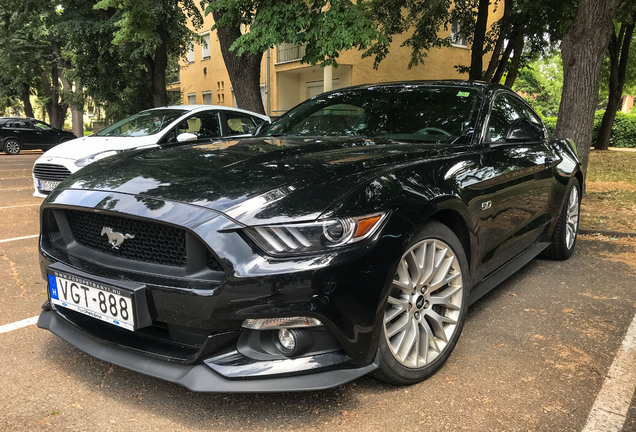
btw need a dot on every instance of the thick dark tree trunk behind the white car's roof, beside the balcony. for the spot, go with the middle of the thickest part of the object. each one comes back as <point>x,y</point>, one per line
<point>244,70</point>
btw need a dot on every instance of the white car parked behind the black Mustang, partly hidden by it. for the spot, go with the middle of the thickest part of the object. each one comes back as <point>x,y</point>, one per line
<point>148,128</point>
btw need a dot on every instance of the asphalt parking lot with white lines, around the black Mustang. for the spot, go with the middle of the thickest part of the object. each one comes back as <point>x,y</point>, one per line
<point>551,349</point>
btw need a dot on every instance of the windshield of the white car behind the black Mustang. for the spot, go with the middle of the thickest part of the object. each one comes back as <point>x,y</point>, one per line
<point>142,124</point>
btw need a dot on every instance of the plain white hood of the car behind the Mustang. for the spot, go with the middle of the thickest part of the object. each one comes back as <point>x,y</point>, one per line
<point>90,145</point>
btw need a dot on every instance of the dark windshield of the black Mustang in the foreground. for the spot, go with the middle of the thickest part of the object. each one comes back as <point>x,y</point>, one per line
<point>409,113</point>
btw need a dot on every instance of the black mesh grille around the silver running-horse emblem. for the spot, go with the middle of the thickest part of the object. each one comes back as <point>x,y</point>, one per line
<point>152,242</point>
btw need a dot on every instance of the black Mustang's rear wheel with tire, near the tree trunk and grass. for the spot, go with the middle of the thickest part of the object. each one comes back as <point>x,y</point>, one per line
<point>567,227</point>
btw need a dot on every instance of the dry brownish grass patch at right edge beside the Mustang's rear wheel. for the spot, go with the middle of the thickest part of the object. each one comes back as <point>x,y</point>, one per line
<point>610,200</point>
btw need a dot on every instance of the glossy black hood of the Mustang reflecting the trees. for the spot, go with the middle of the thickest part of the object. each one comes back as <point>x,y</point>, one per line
<point>254,180</point>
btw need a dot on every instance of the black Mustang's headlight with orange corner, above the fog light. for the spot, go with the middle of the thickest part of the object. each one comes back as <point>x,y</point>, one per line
<point>313,237</point>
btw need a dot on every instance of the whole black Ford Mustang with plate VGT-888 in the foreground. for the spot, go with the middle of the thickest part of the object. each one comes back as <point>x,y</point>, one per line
<point>348,237</point>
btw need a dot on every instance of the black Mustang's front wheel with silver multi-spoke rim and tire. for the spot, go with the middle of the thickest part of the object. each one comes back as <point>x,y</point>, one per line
<point>425,308</point>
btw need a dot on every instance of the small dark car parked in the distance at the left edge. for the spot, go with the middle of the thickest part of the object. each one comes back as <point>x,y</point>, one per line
<point>18,134</point>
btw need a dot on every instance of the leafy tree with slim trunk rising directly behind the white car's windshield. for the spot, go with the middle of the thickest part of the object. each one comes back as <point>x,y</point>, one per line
<point>152,30</point>
